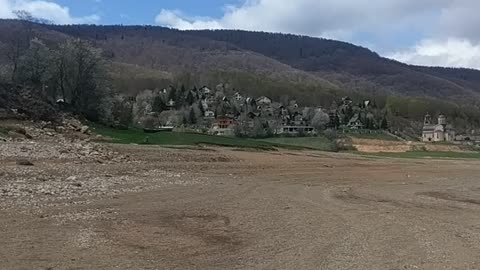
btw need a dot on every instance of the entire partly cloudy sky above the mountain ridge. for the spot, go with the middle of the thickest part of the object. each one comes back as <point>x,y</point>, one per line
<point>422,32</point>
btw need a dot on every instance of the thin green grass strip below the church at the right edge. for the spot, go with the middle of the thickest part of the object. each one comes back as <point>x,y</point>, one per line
<point>426,154</point>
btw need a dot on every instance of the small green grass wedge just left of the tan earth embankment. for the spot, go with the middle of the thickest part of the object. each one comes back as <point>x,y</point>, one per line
<point>317,143</point>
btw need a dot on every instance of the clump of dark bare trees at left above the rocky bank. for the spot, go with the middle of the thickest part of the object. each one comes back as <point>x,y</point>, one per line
<point>74,74</point>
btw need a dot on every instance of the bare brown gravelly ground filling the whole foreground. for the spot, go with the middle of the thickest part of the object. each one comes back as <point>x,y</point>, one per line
<point>83,205</point>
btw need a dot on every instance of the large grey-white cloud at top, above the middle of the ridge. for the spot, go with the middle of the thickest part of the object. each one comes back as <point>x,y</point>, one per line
<point>335,18</point>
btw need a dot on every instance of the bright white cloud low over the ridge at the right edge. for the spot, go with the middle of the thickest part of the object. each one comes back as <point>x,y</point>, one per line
<point>452,52</point>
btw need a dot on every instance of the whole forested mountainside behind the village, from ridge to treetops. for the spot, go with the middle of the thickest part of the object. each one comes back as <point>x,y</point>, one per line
<point>311,70</point>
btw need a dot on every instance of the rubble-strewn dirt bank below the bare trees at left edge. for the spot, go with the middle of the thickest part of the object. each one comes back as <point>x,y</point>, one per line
<point>68,140</point>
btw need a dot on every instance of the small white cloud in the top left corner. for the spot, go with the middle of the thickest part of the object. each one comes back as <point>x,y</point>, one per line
<point>44,10</point>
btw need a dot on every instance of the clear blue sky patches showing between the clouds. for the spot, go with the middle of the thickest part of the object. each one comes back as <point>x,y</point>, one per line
<point>131,12</point>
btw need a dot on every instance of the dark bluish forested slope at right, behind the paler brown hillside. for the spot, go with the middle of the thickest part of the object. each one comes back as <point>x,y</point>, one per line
<point>352,66</point>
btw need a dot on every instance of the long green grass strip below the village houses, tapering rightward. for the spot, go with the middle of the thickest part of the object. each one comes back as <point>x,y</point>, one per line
<point>137,136</point>
